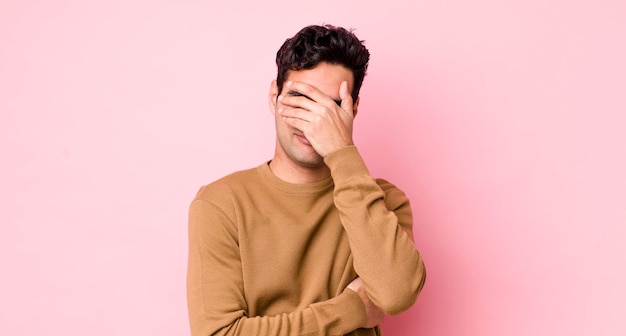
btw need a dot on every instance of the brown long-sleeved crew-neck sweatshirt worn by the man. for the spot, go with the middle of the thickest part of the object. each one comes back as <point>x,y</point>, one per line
<point>267,257</point>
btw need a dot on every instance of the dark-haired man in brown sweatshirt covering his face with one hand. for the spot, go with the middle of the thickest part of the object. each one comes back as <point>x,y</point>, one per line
<point>307,243</point>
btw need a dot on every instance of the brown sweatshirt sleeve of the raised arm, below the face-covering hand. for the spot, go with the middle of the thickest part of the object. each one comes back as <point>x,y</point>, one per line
<point>378,223</point>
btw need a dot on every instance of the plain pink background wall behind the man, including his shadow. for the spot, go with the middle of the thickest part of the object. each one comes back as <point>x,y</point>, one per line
<point>504,121</point>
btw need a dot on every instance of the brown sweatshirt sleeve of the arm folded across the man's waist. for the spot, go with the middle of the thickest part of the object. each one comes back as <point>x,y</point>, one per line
<point>215,288</point>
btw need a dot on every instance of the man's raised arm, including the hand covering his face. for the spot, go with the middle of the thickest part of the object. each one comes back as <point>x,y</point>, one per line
<point>378,222</point>
